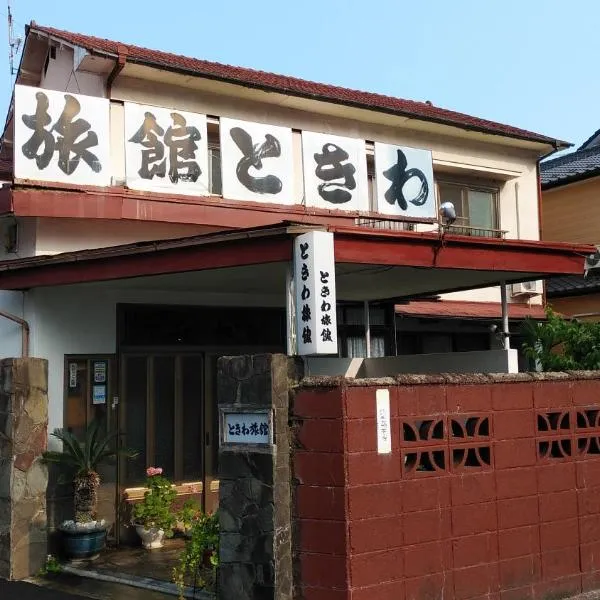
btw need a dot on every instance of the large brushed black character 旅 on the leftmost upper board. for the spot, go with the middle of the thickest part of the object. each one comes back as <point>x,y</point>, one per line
<point>70,145</point>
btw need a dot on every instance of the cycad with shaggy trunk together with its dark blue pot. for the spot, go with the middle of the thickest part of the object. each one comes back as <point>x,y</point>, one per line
<point>85,535</point>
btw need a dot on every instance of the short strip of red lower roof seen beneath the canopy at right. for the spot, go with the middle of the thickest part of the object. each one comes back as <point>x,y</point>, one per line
<point>468,310</point>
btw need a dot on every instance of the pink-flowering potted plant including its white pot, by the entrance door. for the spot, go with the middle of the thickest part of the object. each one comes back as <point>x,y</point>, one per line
<point>153,517</point>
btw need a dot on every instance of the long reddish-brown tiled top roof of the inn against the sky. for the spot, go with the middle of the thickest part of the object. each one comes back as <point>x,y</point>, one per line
<point>292,85</point>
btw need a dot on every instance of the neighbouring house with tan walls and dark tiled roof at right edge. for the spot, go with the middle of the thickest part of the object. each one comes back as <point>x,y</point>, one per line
<point>571,212</point>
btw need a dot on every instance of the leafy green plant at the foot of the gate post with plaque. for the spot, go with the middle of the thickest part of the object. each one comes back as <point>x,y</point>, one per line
<point>201,552</point>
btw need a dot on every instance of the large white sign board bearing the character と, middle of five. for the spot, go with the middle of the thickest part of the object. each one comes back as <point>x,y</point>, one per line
<point>256,162</point>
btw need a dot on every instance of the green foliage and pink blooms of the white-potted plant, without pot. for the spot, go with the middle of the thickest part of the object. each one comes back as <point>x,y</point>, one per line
<point>155,510</point>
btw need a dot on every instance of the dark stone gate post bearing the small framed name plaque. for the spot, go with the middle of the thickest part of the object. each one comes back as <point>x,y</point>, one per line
<point>254,472</point>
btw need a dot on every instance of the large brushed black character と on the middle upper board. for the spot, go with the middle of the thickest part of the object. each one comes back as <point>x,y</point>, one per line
<point>253,158</point>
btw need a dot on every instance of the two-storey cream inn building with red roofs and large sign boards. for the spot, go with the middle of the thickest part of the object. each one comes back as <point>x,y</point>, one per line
<point>151,218</point>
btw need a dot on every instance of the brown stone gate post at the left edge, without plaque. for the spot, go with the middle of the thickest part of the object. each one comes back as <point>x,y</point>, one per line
<point>23,476</point>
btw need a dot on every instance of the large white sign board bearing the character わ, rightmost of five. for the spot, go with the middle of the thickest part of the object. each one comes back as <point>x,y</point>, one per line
<point>404,181</point>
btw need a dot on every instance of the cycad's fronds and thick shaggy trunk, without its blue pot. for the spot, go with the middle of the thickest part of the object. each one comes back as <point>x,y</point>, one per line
<point>84,457</point>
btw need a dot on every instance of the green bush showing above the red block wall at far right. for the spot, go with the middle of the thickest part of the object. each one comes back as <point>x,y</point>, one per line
<point>562,345</point>
